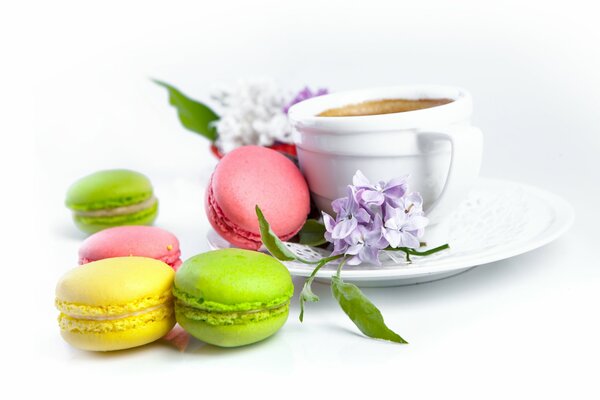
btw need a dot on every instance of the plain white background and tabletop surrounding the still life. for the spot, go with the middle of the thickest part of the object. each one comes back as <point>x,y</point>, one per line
<point>76,75</point>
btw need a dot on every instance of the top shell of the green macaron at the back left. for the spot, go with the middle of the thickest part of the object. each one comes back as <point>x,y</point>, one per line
<point>108,189</point>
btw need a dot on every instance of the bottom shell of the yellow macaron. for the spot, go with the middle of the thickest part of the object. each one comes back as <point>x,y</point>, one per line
<point>109,341</point>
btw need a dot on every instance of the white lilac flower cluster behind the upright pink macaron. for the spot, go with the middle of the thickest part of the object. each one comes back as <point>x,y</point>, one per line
<point>251,113</point>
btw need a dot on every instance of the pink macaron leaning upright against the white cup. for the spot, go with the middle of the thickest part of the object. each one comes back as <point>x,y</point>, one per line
<point>250,176</point>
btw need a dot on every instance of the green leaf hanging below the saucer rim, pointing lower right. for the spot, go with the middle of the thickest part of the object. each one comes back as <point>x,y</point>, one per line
<point>361,311</point>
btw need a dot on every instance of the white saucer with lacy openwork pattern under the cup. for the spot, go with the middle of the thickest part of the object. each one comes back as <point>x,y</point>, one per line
<point>500,219</point>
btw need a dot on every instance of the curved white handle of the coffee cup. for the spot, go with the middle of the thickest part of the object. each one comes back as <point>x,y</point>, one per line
<point>467,144</point>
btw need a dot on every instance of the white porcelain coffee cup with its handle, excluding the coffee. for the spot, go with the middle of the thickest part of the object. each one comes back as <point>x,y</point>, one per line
<point>437,147</point>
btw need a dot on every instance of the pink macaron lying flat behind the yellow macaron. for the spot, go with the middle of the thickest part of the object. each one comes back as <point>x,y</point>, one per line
<point>122,241</point>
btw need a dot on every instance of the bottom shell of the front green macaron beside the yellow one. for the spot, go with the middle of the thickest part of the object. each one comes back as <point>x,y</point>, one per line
<point>232,335</point>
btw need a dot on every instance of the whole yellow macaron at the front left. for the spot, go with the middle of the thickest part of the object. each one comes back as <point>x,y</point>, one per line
<point>116,303</point>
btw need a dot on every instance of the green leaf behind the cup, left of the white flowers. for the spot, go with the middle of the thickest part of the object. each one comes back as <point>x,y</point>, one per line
<point>193,115</point>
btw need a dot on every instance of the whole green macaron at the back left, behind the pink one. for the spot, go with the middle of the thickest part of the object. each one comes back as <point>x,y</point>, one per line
<point>112,198</point>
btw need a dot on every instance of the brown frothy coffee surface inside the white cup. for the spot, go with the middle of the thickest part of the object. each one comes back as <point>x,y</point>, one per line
<point>383,106</point>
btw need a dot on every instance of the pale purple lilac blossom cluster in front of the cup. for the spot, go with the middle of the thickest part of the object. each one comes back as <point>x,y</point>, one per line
<point>374,216</point>
